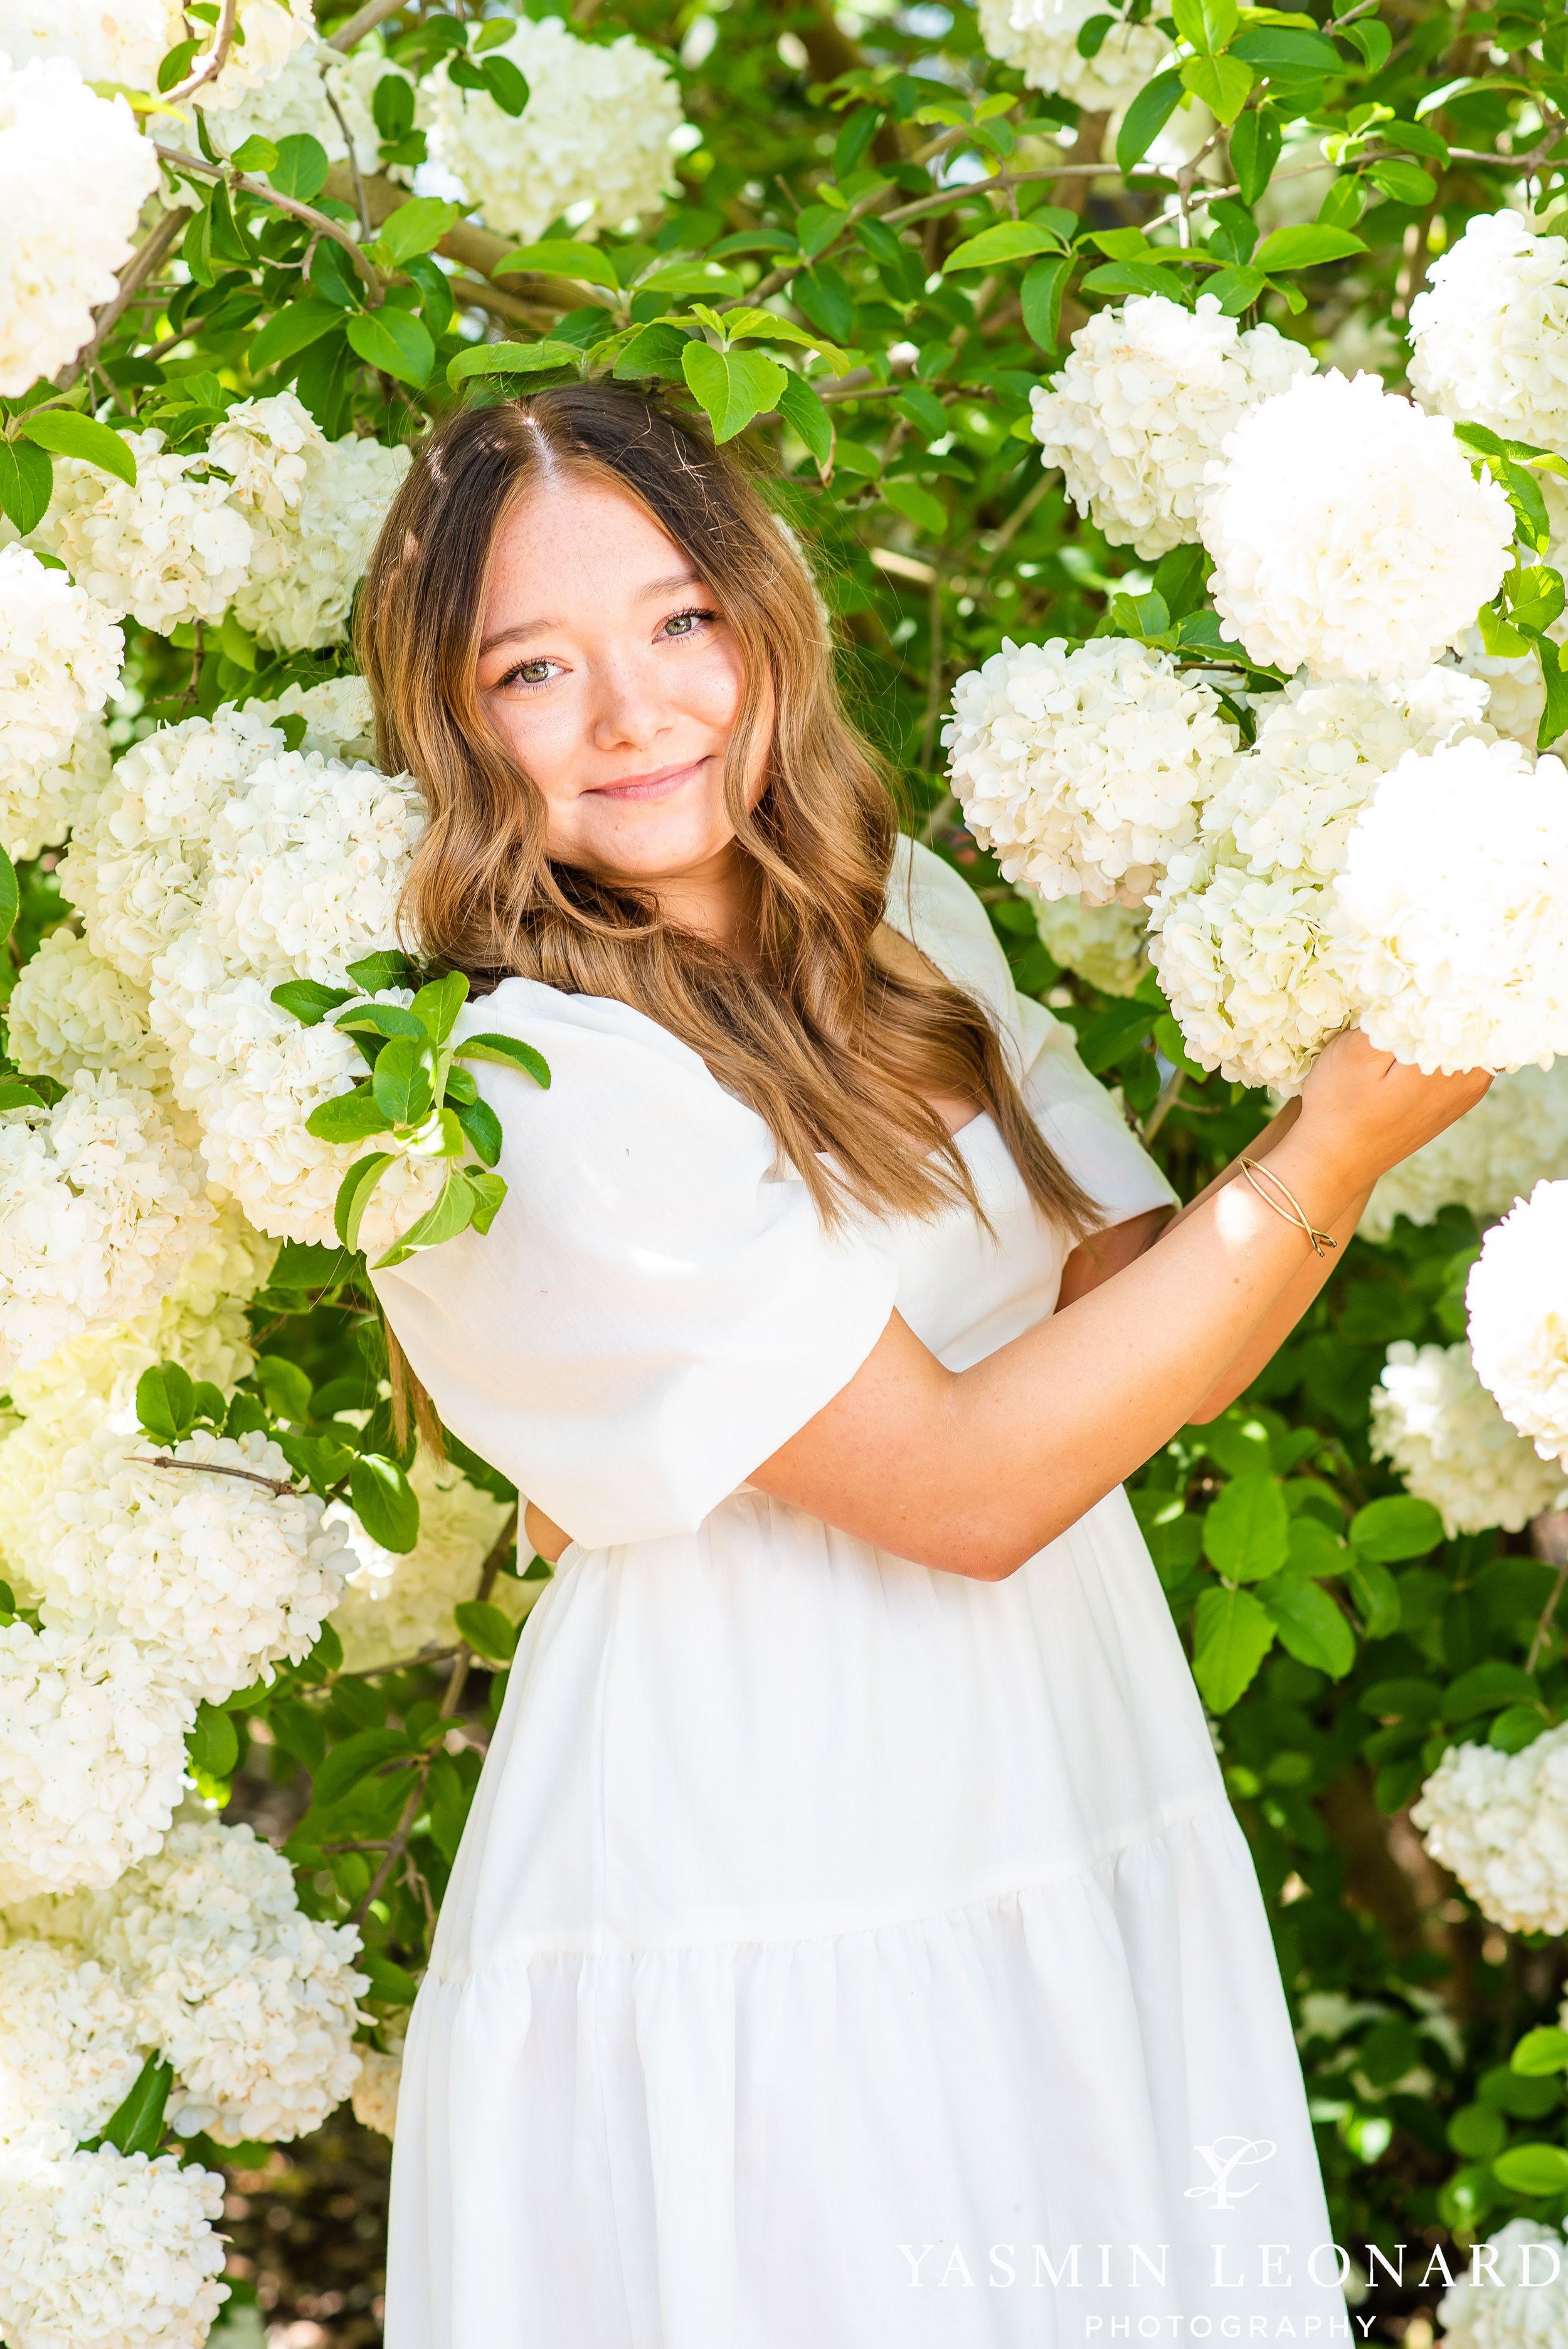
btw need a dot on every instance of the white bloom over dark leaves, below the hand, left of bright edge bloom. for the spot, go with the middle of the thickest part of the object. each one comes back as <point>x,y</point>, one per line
<point>1442,1432</point>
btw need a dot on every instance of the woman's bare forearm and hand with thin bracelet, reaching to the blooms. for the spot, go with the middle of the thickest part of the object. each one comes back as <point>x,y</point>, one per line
<point>975,1472</point>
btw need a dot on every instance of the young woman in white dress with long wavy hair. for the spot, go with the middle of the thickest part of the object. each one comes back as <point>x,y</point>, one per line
<point>851,1946</point>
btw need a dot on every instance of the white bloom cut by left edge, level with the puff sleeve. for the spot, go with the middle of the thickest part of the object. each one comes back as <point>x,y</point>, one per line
<point>100,1209</point>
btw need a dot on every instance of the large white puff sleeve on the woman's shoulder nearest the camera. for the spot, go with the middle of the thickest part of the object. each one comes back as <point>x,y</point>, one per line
<point>656,1307</point>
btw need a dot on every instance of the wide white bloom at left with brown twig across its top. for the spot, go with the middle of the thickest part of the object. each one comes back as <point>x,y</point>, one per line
<point>212,1575</point>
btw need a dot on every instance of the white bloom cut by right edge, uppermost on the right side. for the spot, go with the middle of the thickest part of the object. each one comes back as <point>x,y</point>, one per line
<point>1492,332</point>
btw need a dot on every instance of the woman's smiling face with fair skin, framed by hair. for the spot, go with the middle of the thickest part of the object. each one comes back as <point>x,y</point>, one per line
<point>616,682</point>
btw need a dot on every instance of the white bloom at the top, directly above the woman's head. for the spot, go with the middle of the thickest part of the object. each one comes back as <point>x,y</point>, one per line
<point>597,130</point>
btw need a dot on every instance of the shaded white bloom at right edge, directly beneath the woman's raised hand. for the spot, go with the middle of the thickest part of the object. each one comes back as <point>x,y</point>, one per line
<point>1515,1138</point>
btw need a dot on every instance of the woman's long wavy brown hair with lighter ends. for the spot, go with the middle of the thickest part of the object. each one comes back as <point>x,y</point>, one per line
<point>830,1037</point>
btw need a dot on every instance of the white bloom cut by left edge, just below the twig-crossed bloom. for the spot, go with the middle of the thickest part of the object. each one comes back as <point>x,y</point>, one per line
<point>93,1758</point>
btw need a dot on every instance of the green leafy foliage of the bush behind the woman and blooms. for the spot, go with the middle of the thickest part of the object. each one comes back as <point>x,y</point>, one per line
<point>846,163</point>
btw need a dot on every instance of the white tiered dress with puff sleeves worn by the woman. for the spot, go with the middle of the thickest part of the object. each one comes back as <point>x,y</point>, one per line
<point>842,1956</point>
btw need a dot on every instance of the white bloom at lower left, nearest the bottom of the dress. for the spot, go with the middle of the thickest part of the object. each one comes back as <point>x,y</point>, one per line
<point>252,2003</point>
